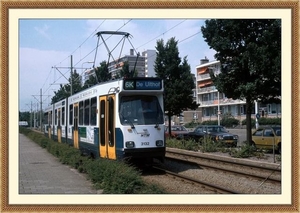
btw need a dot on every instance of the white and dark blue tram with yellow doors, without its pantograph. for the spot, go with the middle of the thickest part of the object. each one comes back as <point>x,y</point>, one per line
<point>120,119</point>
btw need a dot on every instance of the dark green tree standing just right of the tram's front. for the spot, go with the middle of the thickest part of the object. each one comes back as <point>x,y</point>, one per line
<point>177,77</point>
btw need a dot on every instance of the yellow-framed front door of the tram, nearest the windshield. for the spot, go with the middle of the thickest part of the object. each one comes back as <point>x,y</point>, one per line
<point>107,127</point>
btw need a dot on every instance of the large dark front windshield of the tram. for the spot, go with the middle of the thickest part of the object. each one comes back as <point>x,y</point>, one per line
<point>140,110</point>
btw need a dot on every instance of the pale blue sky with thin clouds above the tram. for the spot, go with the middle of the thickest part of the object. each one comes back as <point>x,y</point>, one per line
<point>46,46</point>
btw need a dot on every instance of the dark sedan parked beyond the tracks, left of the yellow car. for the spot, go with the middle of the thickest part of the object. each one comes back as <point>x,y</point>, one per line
<point>215,132</point>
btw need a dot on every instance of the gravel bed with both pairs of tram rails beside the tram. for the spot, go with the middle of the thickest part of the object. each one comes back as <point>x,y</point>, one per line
<point>185,172</point>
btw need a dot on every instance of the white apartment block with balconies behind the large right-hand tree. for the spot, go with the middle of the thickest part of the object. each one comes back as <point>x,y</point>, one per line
<point>212,101</point>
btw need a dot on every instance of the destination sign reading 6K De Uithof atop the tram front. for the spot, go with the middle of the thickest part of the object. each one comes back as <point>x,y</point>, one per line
<point>143,84</point>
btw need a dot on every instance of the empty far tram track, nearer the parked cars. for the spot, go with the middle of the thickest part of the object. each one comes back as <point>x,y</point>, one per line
<point>259,171</point>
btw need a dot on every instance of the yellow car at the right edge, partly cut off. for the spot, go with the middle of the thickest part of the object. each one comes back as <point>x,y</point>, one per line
<point>267,137</point>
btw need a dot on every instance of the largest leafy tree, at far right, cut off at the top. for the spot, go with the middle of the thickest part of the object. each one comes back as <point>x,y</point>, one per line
<point>249,51</point>
